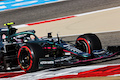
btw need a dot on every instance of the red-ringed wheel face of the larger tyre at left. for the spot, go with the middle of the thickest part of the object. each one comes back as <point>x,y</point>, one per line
<point>25,59</point>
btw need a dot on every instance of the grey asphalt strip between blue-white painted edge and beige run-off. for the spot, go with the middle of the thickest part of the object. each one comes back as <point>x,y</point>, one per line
<point>49,11</point>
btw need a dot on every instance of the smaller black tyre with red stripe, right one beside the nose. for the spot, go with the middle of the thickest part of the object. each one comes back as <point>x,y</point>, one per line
<point>88,42</point>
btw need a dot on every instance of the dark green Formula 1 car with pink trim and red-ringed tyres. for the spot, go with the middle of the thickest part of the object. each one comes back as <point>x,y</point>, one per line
<point>31,53</point>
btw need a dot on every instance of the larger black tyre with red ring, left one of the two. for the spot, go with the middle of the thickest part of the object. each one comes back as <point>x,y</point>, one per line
<point>28,57</point>
